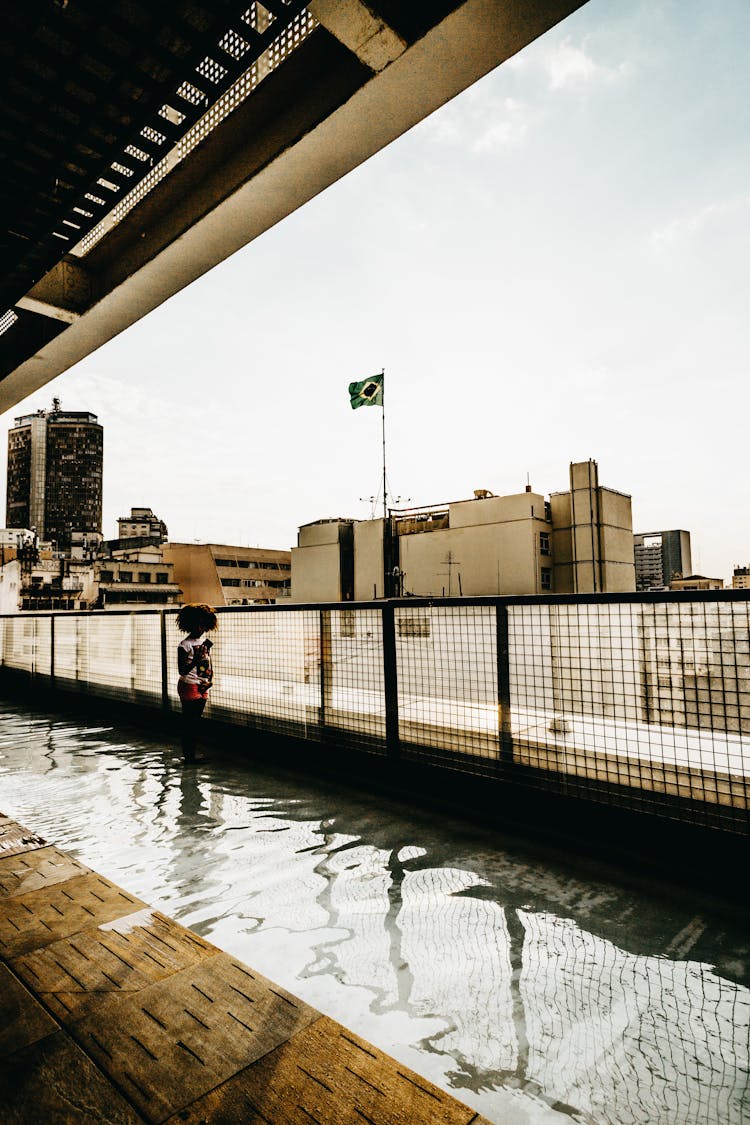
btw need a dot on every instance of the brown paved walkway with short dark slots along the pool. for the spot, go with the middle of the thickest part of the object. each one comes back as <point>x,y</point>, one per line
<point>113,1013</point>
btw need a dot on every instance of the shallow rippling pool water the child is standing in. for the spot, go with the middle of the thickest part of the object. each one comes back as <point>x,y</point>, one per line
<point>535,989</point>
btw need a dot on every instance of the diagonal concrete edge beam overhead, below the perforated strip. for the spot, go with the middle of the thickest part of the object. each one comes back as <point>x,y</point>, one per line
<point>261,166</point>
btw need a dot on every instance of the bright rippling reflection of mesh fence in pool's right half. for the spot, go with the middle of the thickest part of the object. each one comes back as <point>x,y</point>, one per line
<point>534,1000</point>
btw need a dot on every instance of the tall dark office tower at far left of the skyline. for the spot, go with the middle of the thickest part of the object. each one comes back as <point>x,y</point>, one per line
<point>55,474</point>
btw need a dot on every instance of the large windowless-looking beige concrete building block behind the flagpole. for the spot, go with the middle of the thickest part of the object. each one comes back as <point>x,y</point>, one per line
<point>577,542</point>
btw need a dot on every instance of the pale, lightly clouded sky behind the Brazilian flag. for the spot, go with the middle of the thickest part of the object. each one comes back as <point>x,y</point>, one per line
<point>554,267</point>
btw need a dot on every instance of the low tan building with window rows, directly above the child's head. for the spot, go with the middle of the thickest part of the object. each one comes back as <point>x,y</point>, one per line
<point>221,574</point>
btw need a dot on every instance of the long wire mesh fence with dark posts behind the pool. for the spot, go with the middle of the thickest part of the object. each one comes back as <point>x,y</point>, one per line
<point>635,703</point>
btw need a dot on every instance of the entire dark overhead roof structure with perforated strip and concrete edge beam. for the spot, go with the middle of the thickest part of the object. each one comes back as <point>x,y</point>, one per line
<point>144,143</point>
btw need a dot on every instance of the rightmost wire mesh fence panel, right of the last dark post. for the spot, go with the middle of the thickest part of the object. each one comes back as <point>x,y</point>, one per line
<point>643,705</point>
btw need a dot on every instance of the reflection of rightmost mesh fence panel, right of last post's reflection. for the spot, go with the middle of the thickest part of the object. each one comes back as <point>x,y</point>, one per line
<point>632,1039</point>
